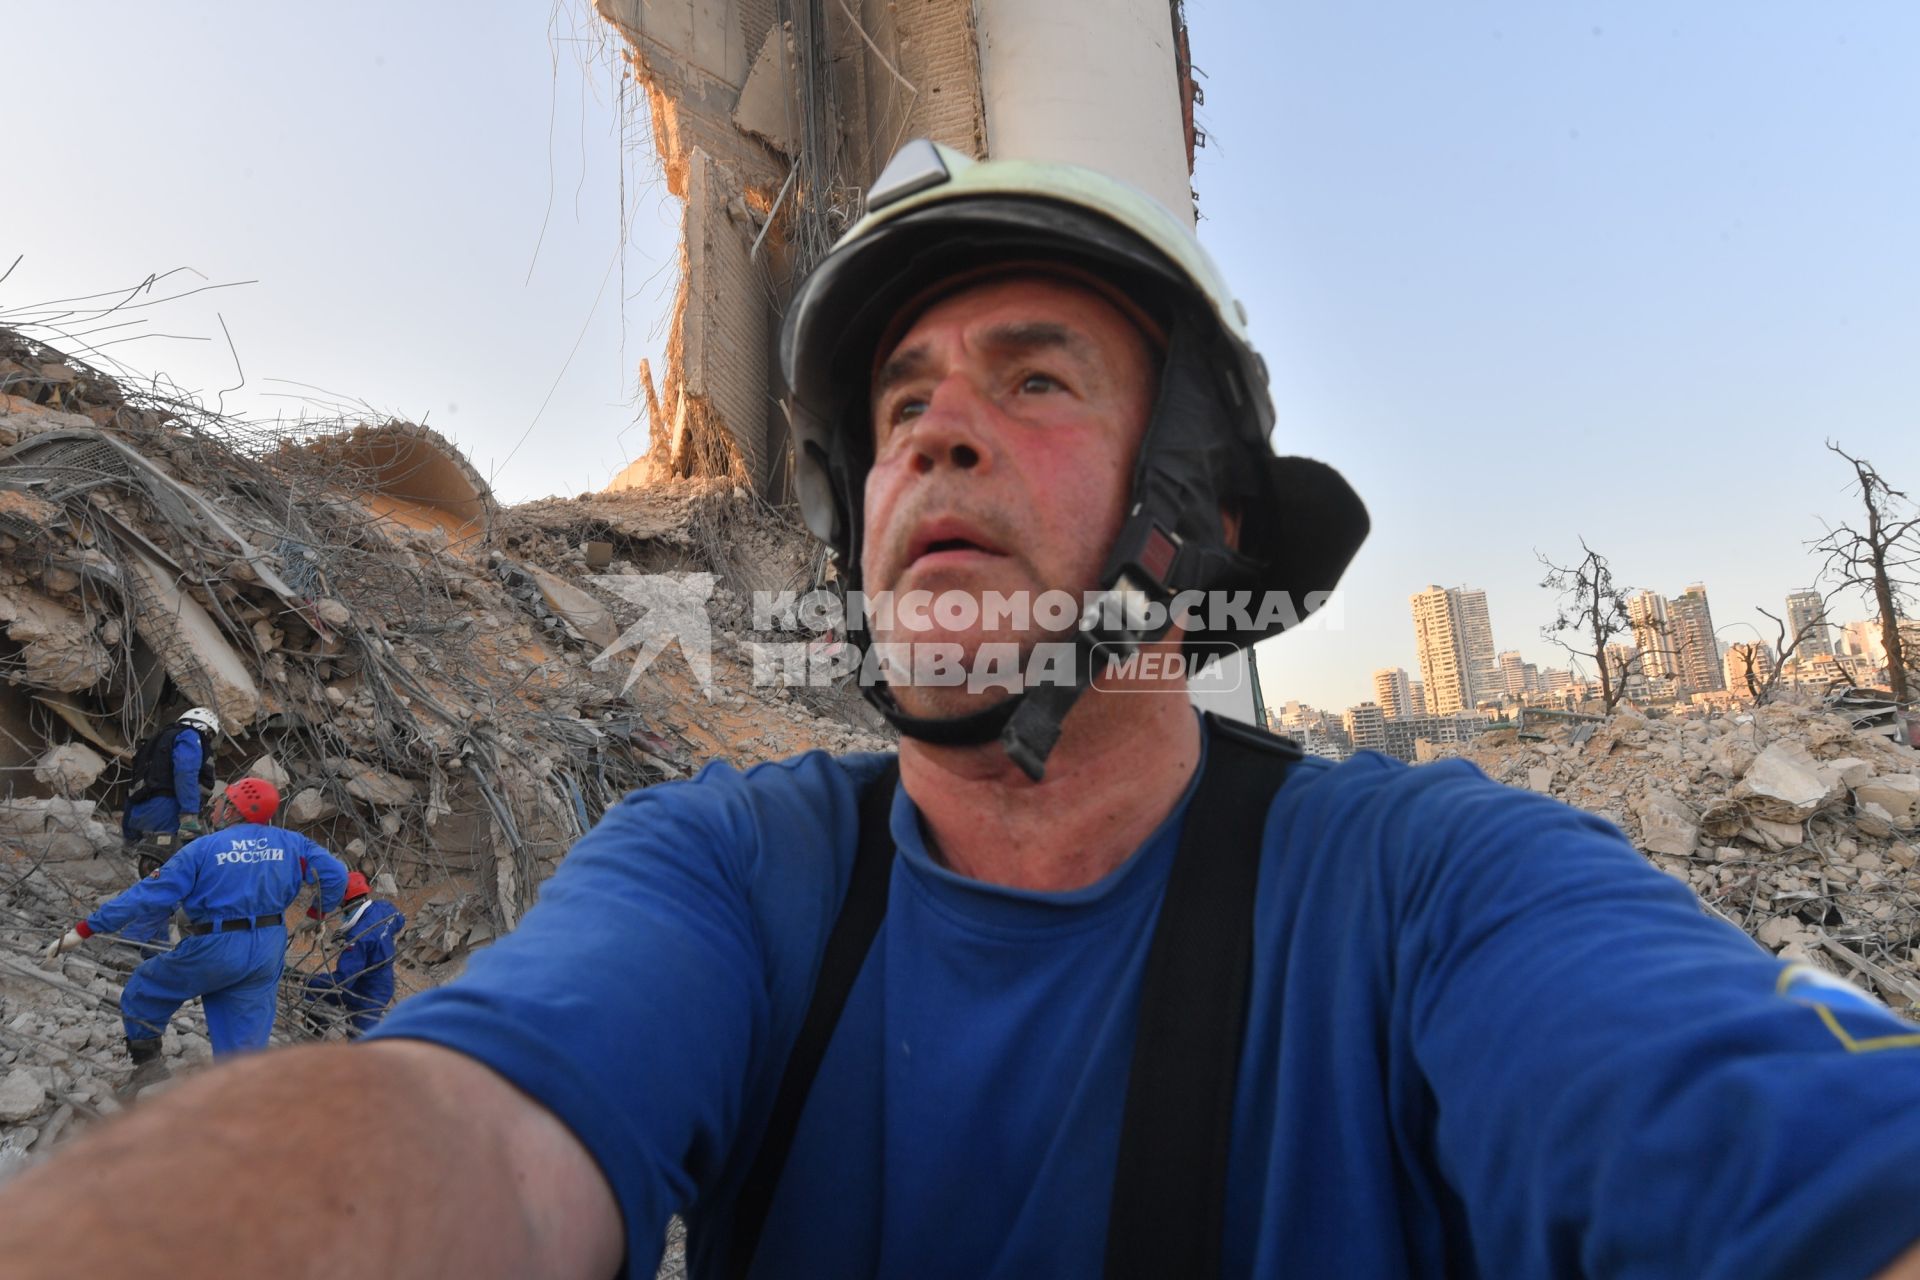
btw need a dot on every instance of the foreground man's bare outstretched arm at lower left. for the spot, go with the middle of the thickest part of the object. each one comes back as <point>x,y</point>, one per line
<point>393,1160</point>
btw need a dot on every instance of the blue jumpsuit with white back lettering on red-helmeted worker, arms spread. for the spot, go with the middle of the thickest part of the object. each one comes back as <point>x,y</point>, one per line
<point>243,872</point>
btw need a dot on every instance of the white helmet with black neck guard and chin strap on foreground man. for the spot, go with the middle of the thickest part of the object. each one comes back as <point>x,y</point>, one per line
<point>940,222</point>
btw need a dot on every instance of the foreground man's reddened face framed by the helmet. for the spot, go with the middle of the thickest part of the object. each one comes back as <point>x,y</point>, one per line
<point>1005,429</point>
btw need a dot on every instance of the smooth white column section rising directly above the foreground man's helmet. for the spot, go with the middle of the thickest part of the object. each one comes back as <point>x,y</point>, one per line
<point>1088,82</point>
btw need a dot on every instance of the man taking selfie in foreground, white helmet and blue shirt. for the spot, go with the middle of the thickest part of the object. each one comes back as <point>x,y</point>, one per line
<point>1080,984</point>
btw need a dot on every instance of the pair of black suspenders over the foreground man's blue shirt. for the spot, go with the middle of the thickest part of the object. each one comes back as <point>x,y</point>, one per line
<point>1170,1181</point>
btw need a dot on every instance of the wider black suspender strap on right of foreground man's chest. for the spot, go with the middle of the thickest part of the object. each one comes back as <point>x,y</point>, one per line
<point>1170,1181</point>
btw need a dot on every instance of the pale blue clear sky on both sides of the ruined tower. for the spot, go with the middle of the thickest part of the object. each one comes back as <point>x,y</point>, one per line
<point>1524,272</point>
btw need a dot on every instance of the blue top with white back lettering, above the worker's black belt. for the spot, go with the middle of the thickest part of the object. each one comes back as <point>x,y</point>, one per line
<point>241,872</point>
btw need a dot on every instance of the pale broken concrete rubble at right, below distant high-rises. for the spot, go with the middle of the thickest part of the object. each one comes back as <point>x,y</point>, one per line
<point>1783,818</point>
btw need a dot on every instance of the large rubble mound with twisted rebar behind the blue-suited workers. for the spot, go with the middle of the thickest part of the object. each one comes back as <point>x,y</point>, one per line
<point>435,684</point>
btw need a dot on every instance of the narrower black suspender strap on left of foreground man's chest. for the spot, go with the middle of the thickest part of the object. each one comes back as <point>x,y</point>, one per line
<point>848,947</point>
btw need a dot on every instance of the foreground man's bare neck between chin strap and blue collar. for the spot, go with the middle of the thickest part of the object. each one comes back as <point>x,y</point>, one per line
<point>1120,767</point>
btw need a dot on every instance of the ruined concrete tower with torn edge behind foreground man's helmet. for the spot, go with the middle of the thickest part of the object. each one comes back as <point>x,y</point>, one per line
<point>773,118</point>
